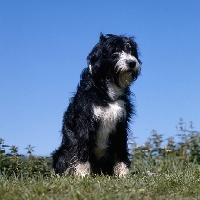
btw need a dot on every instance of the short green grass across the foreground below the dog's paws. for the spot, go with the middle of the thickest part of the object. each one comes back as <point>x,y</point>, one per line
<point>178,182</point>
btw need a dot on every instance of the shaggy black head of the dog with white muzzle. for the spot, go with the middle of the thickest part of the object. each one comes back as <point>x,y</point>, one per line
<point>115,60</point>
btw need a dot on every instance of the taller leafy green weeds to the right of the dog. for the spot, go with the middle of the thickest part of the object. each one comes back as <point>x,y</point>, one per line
<point>159,152</point>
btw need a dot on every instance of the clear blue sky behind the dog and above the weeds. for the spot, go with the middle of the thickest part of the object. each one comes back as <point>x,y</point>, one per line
<point>43,49</point>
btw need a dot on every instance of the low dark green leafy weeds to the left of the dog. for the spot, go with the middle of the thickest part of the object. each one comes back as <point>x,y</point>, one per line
<point>15,163</point>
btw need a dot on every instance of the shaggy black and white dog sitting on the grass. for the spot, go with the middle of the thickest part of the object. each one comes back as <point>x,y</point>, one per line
<point>95,125</point>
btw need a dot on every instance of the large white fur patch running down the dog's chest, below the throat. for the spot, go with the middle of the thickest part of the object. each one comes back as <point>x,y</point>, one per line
<point>108,117</point>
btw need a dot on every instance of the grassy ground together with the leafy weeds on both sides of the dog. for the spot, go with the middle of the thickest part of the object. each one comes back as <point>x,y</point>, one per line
<point>161,169</point>
